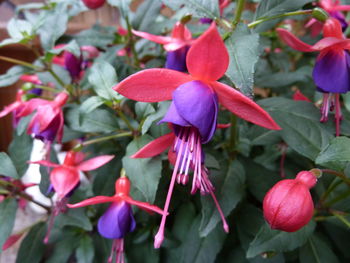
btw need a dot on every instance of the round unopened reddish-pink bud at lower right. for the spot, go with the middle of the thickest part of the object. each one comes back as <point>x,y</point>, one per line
<point>288,204</point>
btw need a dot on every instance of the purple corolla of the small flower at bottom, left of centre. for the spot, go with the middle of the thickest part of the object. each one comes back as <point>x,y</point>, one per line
<point>117,221</point>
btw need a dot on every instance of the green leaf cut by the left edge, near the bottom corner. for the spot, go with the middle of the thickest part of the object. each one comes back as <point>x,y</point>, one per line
<point>8,209</point>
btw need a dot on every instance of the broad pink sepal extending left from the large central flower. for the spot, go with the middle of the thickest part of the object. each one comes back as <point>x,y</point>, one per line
<point>152,85</point>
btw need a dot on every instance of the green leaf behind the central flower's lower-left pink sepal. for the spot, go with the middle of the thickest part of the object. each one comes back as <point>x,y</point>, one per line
<point>145,173</point>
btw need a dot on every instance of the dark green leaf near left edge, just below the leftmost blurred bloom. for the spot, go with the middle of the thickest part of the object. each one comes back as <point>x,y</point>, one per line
<point>20,150</point>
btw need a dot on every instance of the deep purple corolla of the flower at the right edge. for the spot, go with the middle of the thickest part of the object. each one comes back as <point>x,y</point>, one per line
<point>331,72</point>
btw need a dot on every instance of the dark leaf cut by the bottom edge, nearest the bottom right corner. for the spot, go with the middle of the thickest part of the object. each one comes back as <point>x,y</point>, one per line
<point>317,251</point>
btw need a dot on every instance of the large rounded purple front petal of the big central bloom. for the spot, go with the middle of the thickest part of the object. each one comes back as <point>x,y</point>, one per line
<point>198,105</point>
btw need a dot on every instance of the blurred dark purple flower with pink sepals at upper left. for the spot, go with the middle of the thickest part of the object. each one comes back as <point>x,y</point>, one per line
<point>76,65</point>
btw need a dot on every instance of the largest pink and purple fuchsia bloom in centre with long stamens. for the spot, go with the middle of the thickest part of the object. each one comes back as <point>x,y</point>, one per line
<point>193,112</point>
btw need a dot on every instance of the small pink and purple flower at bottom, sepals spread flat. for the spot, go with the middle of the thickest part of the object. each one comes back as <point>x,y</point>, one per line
<point>118,220</point>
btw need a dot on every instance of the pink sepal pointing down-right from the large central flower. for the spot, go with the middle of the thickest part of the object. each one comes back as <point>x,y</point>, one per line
<point>243,107</point>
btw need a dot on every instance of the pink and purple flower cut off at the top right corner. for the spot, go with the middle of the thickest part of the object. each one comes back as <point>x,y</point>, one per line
<point>333,8</point>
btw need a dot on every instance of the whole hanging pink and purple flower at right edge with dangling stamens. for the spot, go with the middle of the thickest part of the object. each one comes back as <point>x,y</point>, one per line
<point>331,71</point>
